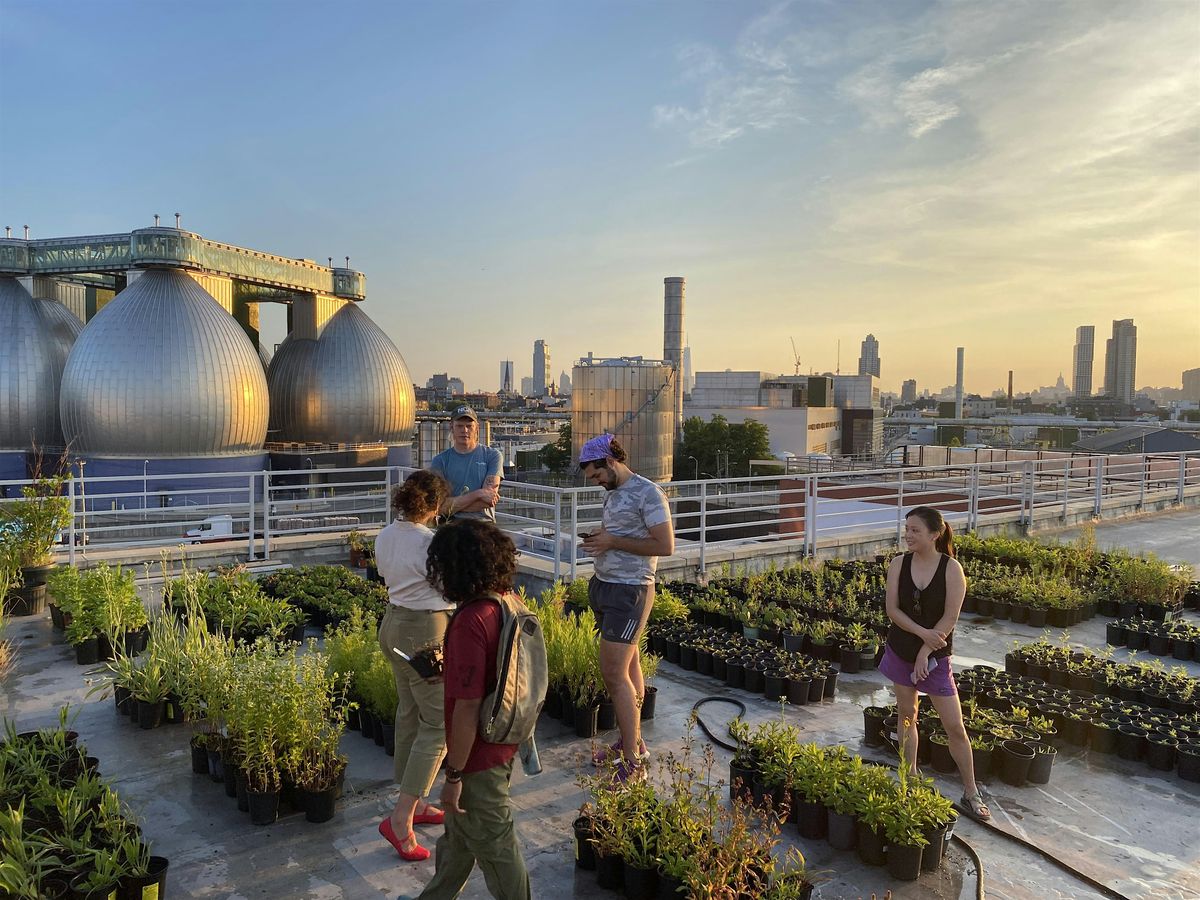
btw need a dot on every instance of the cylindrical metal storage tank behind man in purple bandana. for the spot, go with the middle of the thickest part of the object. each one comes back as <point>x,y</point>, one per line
<point>633,400</point>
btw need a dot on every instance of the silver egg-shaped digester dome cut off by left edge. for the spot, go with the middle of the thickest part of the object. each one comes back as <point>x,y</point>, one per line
<point>35,341</point>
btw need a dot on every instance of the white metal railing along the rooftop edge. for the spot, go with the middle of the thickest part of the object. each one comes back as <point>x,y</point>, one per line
<point>261,509</point>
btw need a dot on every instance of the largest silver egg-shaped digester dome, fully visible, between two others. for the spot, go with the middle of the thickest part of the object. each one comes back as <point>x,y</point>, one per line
<point>164,371</point>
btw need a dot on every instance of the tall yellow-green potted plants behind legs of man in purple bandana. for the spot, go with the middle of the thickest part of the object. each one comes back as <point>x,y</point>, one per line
<point>578,695</point>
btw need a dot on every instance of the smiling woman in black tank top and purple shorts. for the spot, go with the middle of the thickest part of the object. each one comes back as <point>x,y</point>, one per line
<point>926,592</point>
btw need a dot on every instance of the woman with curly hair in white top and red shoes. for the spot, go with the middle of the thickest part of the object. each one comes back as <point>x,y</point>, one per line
<point>417,617</point>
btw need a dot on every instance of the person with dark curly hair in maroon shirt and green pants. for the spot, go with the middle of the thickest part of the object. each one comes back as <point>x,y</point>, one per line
<point>470,560</point>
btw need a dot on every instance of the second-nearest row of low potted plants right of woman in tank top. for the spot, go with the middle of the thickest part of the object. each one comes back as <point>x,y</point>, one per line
<point>1083,670</point>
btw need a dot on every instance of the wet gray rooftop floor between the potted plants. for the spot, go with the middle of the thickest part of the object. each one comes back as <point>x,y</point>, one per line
<point>1120,823</point>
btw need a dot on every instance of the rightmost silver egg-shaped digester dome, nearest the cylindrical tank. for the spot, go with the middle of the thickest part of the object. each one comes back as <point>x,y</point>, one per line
<point>349,387</point>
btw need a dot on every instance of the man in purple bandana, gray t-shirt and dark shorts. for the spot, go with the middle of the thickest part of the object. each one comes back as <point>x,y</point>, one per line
<point>635,532</point>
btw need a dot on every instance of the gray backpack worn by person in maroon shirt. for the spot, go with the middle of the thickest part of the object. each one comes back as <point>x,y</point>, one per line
<point>509,715</point>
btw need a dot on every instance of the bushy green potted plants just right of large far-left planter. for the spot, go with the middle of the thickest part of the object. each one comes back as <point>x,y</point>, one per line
<point>99,611</point>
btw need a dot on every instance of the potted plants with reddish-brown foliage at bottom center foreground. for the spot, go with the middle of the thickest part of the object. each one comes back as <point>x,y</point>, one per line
<point>682,839</point>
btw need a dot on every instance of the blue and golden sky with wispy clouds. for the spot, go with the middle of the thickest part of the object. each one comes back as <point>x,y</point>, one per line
<point>939,175</point>
